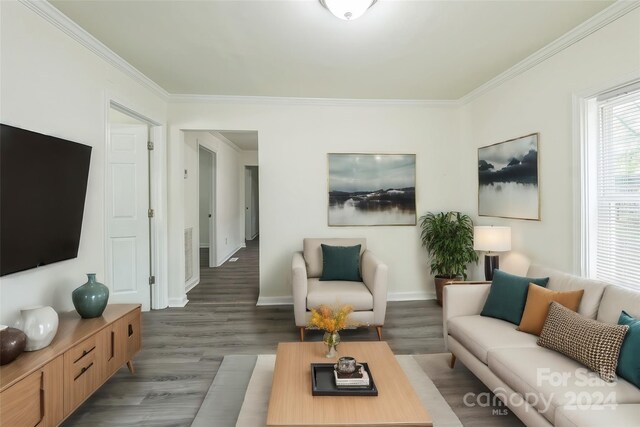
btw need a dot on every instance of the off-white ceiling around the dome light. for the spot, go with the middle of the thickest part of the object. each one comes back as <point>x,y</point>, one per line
<point>398,50</point>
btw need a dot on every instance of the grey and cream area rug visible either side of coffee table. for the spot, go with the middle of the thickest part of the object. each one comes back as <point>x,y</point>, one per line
<point>239,394</point>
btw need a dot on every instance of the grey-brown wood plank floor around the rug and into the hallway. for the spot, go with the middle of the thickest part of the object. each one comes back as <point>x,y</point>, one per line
<point>183,347</point>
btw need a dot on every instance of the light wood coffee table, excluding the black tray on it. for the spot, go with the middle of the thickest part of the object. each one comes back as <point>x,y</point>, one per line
<point>291,402</point>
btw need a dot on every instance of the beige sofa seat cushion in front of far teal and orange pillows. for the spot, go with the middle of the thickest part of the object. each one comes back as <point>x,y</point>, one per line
<point>480,334</point>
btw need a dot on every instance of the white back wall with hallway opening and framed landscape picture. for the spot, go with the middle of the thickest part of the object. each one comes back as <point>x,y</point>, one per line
<point>294,142</point>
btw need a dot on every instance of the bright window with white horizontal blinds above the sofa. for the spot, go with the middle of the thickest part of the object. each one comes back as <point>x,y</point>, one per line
<point>611,235</point>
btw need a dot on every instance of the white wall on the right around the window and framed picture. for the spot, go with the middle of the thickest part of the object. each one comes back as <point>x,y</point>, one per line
<point>540,100</point>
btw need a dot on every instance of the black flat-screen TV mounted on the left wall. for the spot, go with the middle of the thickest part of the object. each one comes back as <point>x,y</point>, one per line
<point>43,184</point>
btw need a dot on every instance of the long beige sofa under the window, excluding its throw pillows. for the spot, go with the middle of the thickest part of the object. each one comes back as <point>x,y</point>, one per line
<point>540,386</point>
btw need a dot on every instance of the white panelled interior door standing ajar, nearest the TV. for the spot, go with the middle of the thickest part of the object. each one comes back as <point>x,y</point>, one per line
<point>127,220</point>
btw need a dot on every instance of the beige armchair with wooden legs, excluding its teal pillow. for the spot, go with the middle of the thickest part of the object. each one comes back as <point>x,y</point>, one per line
<point>368,298</point>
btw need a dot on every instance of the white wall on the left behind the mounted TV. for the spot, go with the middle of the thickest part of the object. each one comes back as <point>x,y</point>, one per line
<point>51,84</point>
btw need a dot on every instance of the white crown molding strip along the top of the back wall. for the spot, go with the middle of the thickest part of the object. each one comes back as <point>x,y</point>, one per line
<point>283,100</point>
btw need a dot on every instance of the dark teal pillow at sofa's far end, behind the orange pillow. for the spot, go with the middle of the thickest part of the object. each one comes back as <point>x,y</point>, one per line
<point>508,296</point>
